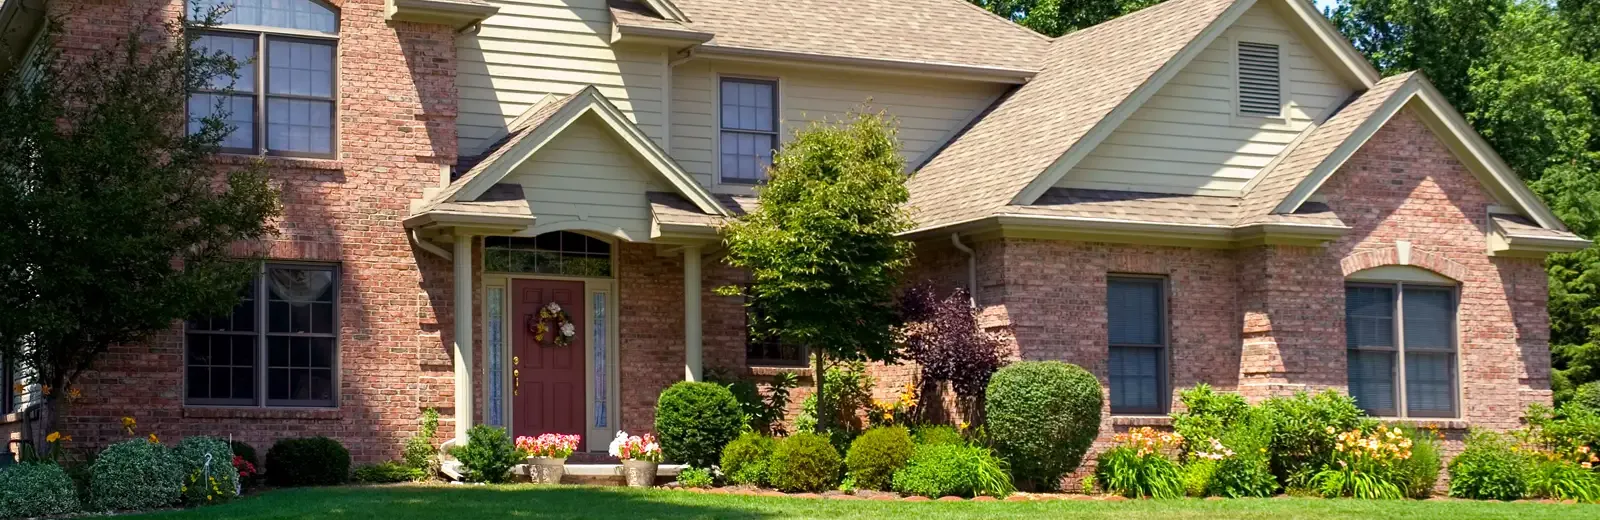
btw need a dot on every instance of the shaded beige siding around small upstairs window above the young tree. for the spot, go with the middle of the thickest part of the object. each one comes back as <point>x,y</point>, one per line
<point>929,110</point>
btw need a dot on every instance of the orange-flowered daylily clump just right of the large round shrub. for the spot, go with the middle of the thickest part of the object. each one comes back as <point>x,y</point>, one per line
<point>1140,466</point>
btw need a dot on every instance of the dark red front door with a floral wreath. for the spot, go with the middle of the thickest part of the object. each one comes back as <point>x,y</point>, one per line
<point>550,378</point>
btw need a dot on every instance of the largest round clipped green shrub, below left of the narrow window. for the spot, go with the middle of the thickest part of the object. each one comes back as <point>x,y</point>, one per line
<point>1042,418</point>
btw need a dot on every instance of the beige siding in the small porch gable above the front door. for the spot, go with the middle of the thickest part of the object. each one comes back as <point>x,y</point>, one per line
<point>590,177</point>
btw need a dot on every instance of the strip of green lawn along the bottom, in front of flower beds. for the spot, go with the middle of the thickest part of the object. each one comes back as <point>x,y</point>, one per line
<point>526,502</point>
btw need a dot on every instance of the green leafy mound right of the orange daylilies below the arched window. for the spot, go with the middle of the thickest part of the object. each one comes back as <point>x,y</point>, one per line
<point>1489,468</point>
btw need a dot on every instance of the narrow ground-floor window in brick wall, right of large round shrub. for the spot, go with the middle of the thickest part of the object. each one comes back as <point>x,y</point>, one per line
<point>1137,327</point>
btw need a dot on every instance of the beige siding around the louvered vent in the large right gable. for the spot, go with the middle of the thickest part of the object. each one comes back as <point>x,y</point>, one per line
<point>1191,140</point>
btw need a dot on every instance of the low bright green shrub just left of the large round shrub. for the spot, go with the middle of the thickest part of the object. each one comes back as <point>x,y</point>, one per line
<point>954,470</point>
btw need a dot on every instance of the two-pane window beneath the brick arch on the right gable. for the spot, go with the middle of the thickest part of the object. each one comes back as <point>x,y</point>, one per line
<point>1402,350</point>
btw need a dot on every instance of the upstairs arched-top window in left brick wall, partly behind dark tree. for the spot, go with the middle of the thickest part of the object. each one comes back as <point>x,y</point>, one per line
<point>284,98</point>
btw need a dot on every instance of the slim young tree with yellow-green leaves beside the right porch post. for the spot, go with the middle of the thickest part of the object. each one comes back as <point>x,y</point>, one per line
<point>822,250</point>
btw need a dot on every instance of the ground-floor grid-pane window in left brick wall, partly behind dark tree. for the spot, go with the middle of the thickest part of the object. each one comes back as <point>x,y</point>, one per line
<point>292,311</point>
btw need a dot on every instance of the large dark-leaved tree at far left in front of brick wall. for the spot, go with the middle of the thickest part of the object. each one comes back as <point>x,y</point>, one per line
<point>114,220</point>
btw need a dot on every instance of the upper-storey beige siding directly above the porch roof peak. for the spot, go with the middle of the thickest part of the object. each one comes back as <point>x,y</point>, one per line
<point>551,47</point>
